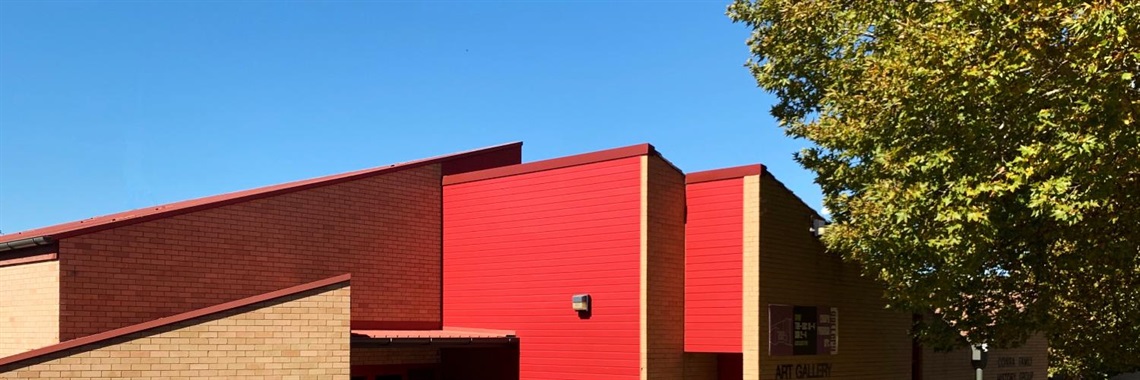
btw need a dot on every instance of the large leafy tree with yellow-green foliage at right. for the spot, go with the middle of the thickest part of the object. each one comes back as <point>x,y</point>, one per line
<point>982,159</point>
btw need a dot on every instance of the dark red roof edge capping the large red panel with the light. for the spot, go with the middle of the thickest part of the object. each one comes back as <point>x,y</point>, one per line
<point>552,164</point>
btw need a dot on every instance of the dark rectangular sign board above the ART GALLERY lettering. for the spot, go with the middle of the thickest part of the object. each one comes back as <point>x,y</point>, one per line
<point>803,330</point>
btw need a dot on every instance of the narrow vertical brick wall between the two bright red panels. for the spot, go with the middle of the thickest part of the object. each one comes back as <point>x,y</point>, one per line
<point>666,271</point>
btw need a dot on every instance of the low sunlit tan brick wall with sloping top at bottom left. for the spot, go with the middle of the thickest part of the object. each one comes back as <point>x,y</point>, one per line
<point>305,336</point>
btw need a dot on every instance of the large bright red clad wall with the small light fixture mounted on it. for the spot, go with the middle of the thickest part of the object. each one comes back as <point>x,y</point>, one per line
<point>518,248</point>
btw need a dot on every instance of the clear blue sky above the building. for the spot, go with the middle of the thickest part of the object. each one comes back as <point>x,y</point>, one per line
<point>110,107</point>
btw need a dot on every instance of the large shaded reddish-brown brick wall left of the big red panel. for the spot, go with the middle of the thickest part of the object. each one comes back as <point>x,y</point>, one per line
<point>385,230</point>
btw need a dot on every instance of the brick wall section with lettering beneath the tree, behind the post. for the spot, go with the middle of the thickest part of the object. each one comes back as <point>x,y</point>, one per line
<point>1029,362</point>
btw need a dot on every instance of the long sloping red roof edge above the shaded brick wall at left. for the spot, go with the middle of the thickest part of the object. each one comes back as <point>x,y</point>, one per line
<point>96,224</point>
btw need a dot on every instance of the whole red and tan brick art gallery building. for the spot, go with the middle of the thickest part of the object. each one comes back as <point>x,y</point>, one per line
<point>465,266</point>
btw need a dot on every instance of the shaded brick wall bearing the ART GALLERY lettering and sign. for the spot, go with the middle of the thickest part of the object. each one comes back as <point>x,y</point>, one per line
<point>796,270</point>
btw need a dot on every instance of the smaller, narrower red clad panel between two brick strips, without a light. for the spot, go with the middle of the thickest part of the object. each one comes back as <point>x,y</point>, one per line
<point>714,273</point>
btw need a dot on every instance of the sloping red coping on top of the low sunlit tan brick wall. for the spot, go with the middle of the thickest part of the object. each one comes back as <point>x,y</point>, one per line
<point>175,319</point>
